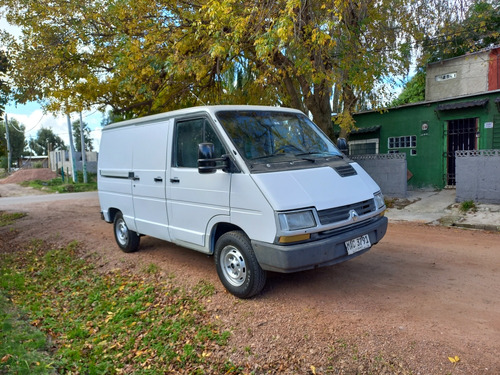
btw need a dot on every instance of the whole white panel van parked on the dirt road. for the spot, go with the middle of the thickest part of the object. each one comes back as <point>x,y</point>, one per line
<point>260,188</point>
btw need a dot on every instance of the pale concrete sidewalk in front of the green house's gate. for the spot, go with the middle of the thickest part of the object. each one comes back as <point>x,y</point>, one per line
<point>439,208</point>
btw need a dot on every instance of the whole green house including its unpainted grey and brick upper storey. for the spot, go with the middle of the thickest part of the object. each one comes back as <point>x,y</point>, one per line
<point>461,113</point>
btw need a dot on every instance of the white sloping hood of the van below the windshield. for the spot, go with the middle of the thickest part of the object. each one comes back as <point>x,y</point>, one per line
<point>320,187</point>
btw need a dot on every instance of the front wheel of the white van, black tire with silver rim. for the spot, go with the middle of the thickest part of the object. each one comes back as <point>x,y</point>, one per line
<point>237,266</point>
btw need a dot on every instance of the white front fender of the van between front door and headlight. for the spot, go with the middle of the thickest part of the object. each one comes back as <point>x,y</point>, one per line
<point>250,210</point>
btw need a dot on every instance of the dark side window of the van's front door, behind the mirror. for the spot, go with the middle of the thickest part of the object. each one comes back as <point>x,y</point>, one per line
<point>188,135</point>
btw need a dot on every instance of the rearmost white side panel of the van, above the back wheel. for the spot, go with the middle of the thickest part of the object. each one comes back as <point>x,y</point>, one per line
<point>115,163</point>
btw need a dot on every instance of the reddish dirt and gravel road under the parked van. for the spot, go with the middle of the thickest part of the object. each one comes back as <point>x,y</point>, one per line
<point>420,296</point>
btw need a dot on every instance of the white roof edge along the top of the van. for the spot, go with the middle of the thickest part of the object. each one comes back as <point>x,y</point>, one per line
<point>196,110</point>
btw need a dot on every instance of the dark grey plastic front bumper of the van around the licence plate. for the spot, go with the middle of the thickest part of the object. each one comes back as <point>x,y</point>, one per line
<point>319,253</point>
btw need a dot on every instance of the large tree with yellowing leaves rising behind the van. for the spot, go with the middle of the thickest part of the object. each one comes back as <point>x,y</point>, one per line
<point>146,56</point>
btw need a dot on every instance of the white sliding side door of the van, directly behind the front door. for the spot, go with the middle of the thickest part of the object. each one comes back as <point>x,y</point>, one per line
<point>150,178</point>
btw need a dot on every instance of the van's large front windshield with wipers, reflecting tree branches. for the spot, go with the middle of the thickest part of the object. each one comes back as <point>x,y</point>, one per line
<point>269,134</point>
